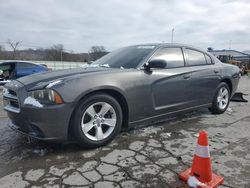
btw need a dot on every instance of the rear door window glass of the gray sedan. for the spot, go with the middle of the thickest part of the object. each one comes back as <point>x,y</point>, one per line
<point>195,57</point>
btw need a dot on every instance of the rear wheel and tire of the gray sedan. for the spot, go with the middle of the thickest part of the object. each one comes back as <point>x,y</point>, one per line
<point>221,99</point>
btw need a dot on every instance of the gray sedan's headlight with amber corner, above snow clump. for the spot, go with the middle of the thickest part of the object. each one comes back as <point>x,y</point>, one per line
<point>46,96</point>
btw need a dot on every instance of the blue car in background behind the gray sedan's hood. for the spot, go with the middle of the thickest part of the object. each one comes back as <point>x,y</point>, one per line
<point>11,70</point>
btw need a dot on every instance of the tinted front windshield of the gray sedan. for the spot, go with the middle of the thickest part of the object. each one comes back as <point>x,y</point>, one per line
<point>128,57</point>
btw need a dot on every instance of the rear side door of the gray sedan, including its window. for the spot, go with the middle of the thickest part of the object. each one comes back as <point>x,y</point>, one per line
<point>205,76</point>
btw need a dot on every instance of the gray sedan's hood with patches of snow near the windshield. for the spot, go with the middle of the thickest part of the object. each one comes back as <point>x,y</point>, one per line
<point>43,79</point>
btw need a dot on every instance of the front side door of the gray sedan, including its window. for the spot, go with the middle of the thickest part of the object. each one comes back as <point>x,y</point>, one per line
<point>171,86</point>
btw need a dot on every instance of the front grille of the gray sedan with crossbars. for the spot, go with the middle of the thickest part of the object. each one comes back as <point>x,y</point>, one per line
<point>10,100</point>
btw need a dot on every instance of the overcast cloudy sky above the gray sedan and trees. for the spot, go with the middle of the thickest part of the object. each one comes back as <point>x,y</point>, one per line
<point>80,24</point>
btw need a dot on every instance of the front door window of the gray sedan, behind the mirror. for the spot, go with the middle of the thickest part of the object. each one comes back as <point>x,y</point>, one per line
<point>173,57</point>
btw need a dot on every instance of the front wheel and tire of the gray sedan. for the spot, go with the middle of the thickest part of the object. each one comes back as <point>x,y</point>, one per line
<point>97,120</point>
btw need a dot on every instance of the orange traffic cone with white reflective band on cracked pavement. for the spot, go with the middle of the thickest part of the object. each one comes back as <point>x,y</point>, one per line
<point>201,175</point>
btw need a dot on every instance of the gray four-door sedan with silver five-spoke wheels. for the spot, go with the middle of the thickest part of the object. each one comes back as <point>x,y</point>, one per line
<point>131,86</point>
